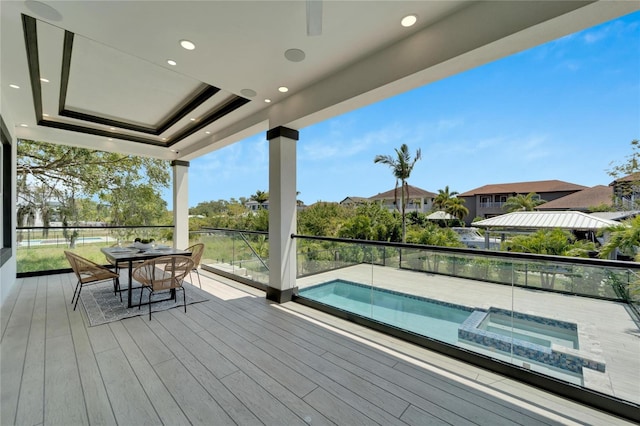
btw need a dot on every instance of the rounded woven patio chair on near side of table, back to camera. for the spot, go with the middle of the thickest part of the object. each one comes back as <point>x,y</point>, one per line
<point>163,274</point>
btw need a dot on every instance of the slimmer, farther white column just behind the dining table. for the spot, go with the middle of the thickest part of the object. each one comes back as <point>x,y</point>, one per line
<point>180,203</point>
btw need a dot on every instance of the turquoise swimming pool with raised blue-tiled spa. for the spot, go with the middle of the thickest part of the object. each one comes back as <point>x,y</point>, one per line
<point>532,338</point>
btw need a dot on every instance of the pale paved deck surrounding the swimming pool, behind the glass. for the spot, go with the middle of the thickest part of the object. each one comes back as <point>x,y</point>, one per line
<point>606,330</point>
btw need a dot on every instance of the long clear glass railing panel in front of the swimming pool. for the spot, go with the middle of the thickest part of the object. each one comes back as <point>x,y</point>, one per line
<point>575,321</point>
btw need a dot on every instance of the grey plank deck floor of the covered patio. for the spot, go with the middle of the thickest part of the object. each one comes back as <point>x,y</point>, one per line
<point>238,359</point>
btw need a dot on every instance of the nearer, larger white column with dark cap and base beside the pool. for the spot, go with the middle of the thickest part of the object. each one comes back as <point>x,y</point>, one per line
<point>282,213</point>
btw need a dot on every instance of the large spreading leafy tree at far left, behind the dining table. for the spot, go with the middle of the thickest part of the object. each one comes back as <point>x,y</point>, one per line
<point>67,174</point>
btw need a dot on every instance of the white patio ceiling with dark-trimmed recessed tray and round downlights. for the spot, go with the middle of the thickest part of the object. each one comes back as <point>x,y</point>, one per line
<point>108,84</point>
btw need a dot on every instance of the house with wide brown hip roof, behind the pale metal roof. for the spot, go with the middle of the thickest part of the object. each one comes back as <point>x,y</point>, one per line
<point>488,200</point>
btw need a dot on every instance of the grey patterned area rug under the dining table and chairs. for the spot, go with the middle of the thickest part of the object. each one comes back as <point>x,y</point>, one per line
<point>103,306</point>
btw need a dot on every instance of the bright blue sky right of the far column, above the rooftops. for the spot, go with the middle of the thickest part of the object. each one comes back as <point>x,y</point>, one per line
<point>563,110</point>
